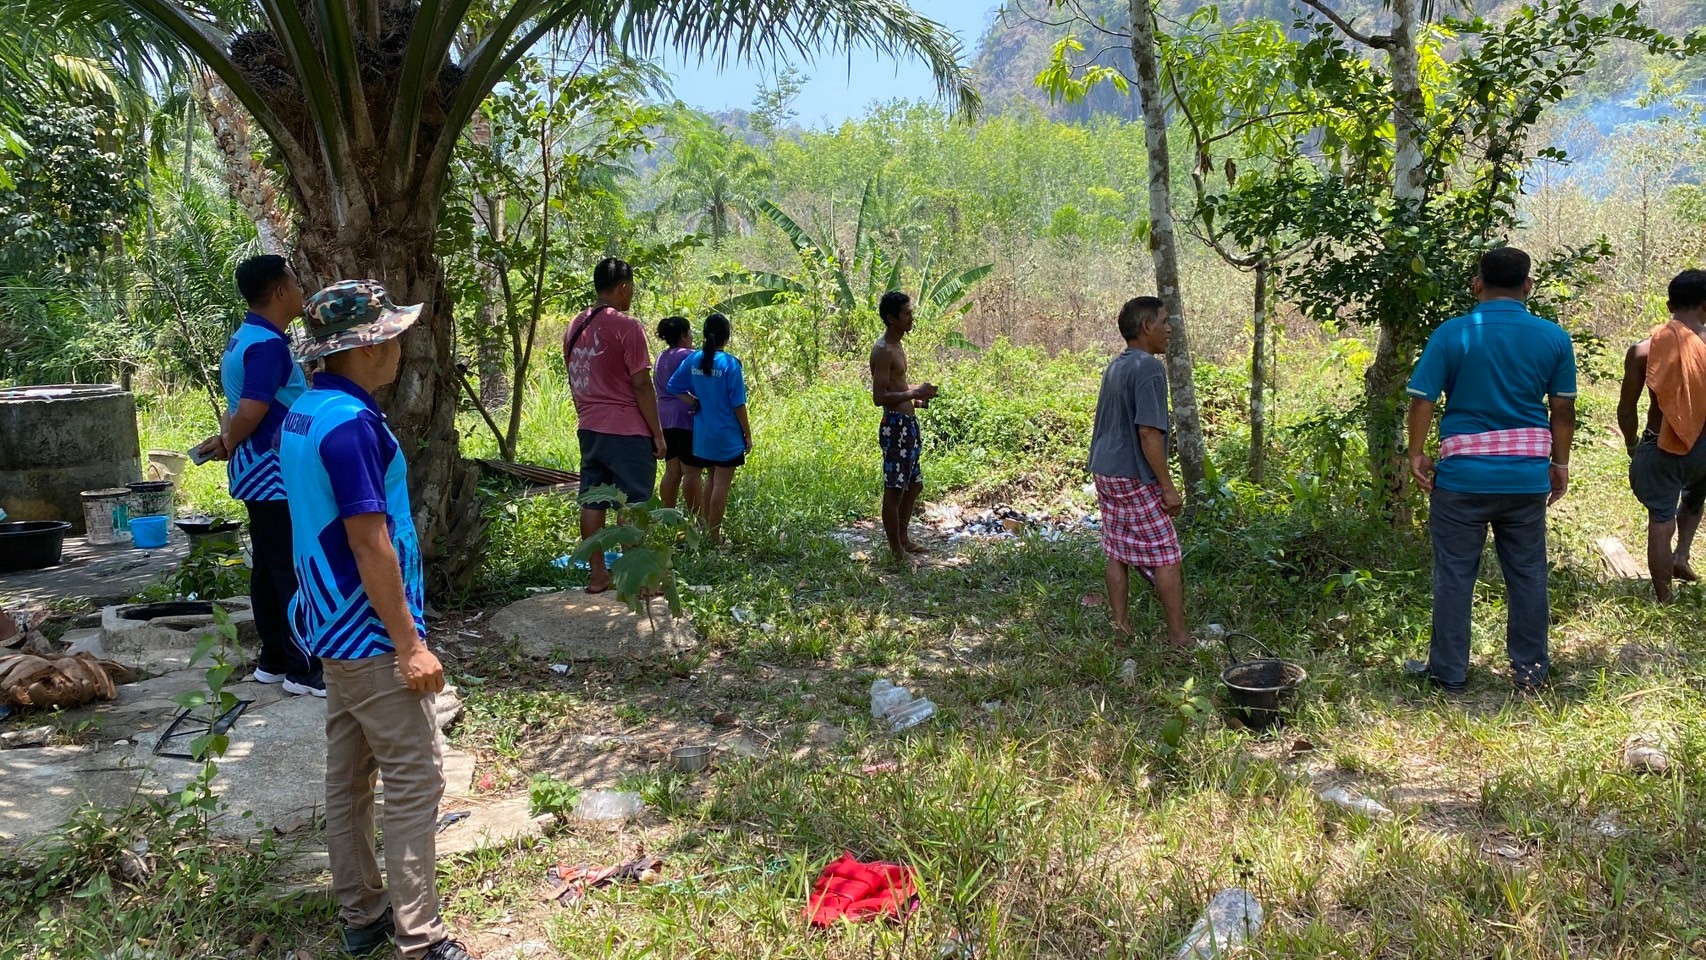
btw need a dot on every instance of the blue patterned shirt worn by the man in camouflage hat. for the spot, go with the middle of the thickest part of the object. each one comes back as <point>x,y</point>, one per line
<point>342,461</point>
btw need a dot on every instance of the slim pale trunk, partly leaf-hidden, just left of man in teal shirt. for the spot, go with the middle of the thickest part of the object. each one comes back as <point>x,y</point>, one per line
<point>1384,381</point>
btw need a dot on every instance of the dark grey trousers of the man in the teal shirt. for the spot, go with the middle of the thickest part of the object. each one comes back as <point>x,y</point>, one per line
<point>1459,529</point>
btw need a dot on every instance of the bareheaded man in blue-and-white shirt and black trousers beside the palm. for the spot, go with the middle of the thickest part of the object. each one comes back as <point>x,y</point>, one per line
<point>260,385</point>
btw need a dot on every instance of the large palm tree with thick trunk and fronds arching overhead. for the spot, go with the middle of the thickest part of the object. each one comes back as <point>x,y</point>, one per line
<point>364,107</point>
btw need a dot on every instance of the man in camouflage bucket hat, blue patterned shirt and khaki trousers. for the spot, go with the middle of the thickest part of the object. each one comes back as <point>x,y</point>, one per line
<point>361,611</point>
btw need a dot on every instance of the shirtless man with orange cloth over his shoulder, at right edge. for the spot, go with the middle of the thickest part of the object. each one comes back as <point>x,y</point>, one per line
<point>1668,461</point>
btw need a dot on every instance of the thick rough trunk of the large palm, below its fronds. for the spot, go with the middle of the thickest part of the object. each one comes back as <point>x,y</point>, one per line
<point>422,405</point>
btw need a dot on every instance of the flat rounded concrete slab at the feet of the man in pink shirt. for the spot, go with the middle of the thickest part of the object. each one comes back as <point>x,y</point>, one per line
<point>574,625</point>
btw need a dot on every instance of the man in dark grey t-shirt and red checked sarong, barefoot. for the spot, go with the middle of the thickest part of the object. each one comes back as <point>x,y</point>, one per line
<point>1129,458</point>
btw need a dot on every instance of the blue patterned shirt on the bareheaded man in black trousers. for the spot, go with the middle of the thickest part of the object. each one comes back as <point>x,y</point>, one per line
<point>257,367</point>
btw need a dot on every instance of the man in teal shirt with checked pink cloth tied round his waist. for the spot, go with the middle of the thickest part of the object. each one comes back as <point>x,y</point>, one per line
<point>1511,388</point>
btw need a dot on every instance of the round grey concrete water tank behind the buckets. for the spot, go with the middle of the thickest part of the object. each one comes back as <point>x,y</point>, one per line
<point>61,441</point>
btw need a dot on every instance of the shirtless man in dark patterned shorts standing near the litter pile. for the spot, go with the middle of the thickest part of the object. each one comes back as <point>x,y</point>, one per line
<point>903,480</point>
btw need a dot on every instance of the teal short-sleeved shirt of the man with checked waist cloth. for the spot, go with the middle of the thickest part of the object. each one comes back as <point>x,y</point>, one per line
<point>1497,367</point>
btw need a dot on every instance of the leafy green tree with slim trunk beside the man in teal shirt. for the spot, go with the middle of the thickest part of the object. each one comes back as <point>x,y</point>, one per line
<point>1475,127</point>
